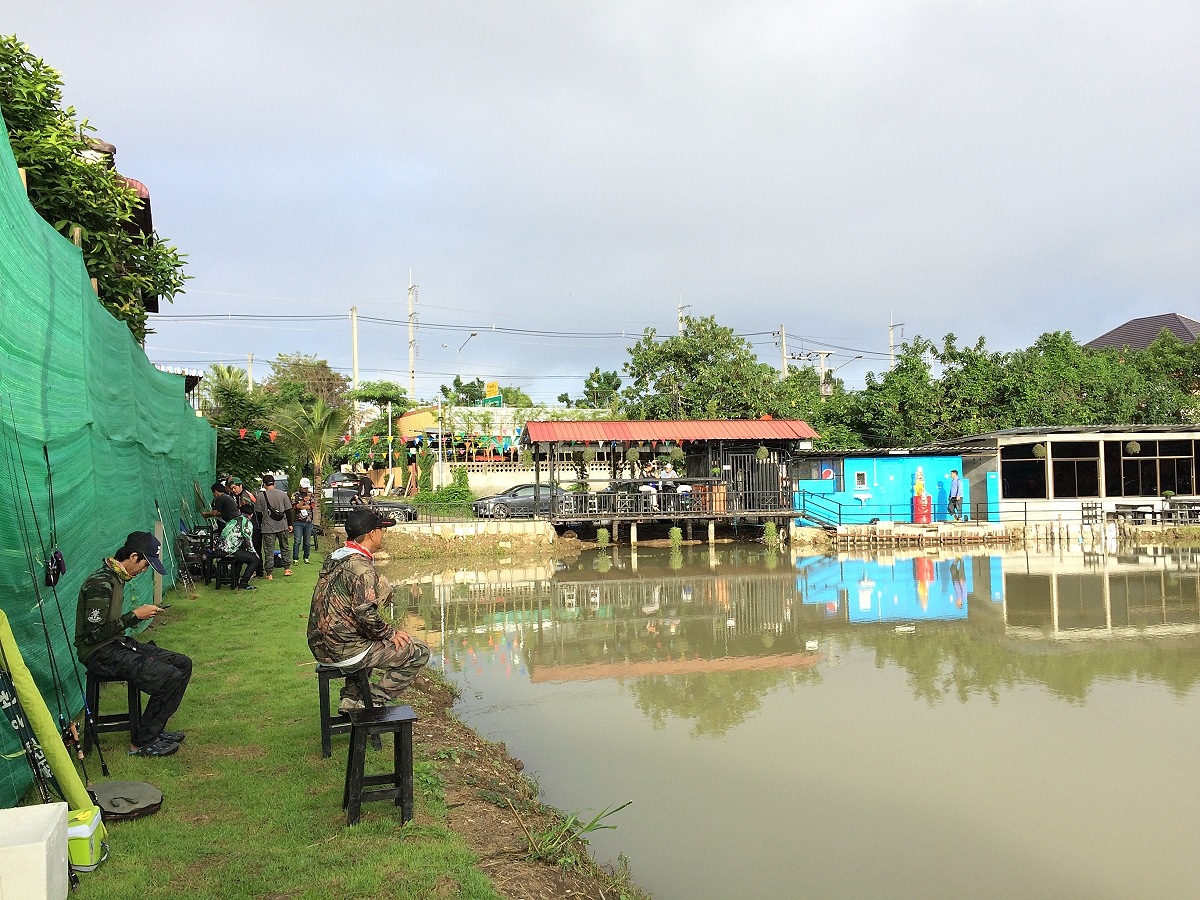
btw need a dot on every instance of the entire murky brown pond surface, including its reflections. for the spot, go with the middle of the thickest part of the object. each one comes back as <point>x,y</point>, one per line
<point>991,724</point>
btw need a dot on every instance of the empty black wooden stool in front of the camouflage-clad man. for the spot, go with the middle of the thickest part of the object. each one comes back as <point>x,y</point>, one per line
<point>381,721</point>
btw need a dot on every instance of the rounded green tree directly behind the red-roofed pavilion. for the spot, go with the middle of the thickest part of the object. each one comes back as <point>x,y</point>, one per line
<point>706,373</point>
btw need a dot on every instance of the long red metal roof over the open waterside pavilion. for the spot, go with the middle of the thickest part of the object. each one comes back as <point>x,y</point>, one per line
<point>692,430</point>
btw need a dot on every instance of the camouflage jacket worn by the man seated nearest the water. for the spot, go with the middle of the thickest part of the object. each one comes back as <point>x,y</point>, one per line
<point>345,619</point>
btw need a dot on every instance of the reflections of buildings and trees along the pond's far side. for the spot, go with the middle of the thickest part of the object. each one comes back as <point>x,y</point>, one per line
<point>748,621</point>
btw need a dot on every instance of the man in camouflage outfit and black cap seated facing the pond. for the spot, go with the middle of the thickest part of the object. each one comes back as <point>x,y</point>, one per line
<point>345,627</point>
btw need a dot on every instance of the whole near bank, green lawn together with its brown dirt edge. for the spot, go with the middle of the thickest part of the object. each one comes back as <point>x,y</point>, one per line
<point>253,811</point>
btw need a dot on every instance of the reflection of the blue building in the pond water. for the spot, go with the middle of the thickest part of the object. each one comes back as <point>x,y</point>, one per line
<point>907,590</point>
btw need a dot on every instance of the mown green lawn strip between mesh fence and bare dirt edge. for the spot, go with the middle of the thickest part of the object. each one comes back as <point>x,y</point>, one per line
<point>251,809</point>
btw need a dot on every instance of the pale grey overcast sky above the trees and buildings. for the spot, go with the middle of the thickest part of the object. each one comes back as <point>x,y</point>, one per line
<point>986,169</point>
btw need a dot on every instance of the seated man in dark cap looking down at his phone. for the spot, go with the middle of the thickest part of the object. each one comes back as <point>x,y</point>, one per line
<point>107,652</point>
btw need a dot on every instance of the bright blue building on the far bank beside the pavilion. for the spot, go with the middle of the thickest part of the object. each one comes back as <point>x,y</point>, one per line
<point>857,487</point>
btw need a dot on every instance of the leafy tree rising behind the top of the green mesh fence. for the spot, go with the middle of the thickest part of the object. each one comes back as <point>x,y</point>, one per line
<point>73,188</point>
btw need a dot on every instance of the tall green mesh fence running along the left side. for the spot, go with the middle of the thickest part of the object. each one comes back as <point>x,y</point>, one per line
<point>121,436</point>
